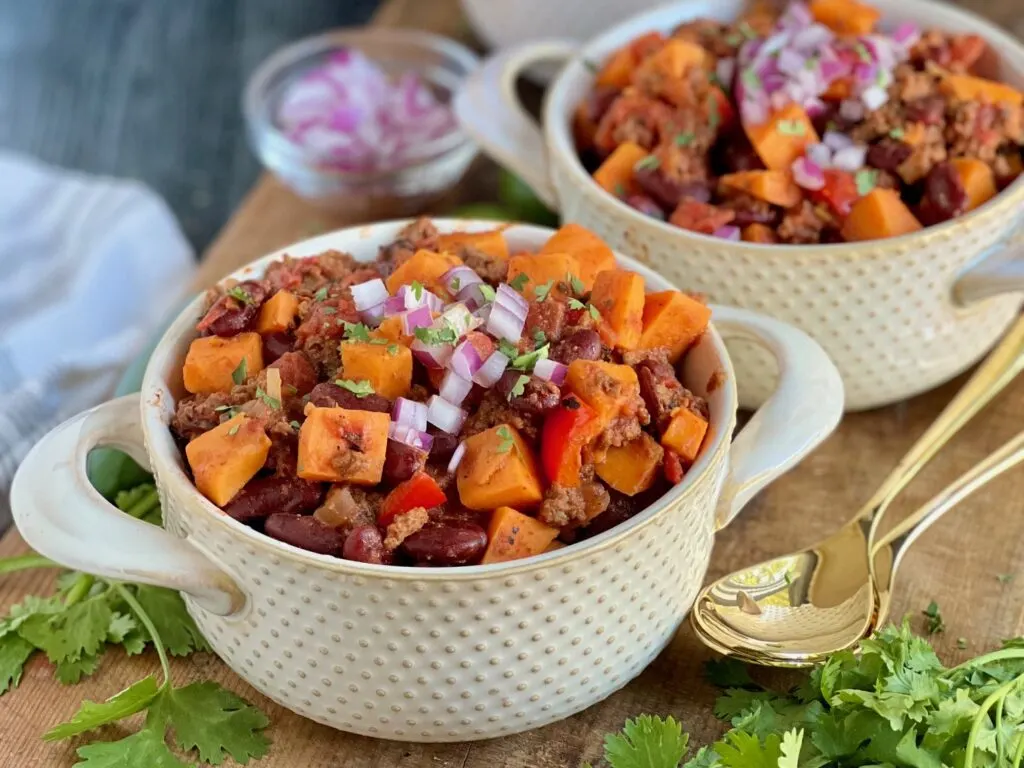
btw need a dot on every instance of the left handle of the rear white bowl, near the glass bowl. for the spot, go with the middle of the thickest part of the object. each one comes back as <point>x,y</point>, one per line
<point>489,110</point>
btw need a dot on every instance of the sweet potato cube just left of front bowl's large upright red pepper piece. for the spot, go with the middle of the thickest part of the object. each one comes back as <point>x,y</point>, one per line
<point>499,471</point>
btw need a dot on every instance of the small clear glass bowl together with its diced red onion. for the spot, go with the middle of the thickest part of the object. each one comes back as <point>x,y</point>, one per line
<point>361,121</point>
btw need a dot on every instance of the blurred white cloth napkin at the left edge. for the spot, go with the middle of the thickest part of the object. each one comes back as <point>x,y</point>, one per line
<point>89,268</point>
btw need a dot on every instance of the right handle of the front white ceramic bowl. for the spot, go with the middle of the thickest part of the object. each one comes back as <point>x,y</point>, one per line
<point>804,410</point>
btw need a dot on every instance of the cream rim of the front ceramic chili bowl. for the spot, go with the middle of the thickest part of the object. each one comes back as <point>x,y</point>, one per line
<point>157,404</point>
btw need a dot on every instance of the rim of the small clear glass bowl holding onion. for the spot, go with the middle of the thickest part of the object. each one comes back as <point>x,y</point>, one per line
<point>258,116</point>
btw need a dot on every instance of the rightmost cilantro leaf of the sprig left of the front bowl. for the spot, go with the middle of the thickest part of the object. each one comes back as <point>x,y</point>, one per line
<point>212,720</point>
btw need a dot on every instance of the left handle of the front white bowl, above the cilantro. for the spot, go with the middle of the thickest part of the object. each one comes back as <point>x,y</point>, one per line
<point>62,517</point>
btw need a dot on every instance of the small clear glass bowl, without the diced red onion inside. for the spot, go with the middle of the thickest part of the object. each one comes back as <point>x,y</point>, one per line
<point>441,63</point>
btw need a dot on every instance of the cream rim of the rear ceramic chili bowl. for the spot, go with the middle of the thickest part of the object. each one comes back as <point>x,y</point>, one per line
<point>562,148</point>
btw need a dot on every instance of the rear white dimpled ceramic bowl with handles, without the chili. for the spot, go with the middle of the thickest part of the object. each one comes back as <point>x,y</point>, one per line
<point>899,317</point>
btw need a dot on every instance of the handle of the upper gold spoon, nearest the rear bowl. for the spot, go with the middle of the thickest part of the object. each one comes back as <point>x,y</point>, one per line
<point>1002,366</point>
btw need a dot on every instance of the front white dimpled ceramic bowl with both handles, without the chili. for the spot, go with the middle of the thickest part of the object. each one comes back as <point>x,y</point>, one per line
<point>422,655</point>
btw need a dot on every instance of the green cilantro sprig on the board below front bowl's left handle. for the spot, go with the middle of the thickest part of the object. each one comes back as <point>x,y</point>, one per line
<point>87,617</point>
